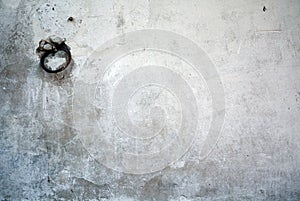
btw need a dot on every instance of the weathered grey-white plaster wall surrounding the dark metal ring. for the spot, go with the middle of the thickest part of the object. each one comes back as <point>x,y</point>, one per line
<point>47,152</point>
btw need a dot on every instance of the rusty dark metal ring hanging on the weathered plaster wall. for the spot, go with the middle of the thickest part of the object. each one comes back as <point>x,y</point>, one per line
<point>58,47</point>
